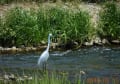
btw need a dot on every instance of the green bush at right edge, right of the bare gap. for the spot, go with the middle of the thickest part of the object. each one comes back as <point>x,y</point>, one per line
<point>110,21</point>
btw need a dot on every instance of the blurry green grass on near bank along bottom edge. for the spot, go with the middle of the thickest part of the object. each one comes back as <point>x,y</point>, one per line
<point>41,78</point>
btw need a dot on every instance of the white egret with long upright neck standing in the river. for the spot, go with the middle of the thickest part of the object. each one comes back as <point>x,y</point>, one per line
<point>45,55</point>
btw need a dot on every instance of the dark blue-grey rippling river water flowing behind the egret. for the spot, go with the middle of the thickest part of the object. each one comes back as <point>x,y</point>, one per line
<point>95,61</point>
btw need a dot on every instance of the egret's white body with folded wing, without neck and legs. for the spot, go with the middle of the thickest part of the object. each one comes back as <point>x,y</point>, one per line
<point>43,58</point>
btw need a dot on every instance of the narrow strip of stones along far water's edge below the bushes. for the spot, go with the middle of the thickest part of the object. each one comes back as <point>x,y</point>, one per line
<point>15,50</point>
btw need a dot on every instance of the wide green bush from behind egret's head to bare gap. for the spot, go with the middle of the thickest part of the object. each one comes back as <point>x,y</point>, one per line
<point>65,24</point>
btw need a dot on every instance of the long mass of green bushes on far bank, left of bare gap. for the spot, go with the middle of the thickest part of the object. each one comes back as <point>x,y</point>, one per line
<point>26,27</point>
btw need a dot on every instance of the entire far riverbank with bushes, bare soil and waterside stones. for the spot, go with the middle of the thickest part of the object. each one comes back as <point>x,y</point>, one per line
<point>32,29</point>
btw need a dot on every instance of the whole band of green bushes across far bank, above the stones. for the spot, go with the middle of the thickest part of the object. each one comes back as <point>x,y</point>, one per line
<point>70,25</point>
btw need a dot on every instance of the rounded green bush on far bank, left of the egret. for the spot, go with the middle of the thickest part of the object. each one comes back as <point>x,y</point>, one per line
<point>22,28</point>
